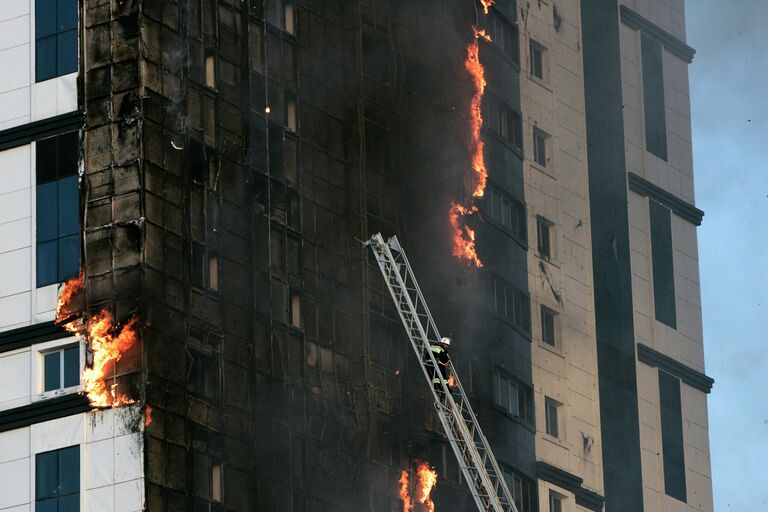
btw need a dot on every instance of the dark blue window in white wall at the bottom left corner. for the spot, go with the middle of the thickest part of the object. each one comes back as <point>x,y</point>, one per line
<point>57,480</point>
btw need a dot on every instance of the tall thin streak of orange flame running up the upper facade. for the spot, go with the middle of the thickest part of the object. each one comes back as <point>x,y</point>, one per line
<point>463,235</point>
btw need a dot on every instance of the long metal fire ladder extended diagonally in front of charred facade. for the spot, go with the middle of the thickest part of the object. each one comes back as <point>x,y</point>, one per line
<point>475,457</point>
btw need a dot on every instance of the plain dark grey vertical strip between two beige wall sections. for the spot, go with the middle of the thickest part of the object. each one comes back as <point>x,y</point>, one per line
<point>610,256</point>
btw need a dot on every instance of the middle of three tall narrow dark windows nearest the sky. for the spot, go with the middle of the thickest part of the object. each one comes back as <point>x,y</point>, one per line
<point>663,267</point>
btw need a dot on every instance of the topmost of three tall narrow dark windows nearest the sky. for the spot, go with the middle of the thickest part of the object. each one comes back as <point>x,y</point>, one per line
<point>653,97</point>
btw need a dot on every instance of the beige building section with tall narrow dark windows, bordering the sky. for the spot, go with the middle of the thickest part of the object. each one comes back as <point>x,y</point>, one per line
<point>672,386</point>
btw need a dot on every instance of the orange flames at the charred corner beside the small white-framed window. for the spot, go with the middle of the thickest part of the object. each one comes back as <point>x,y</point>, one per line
<point>106,341</point>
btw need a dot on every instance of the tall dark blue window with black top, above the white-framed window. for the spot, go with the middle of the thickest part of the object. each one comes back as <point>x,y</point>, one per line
<point>58,209</point>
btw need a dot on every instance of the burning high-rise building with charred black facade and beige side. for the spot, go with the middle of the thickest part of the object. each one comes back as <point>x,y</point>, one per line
<point>200,174</point>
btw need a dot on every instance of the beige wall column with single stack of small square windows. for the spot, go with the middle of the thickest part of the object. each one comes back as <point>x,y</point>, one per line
<point>564,347</point>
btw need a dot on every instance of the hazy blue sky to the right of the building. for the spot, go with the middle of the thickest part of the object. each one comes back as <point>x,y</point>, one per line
<point>729,110</point>
